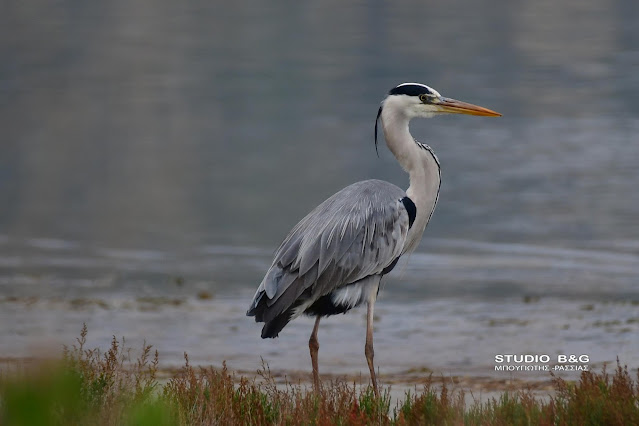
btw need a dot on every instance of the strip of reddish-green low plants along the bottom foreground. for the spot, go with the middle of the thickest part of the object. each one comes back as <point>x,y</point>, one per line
<point>88,386</point>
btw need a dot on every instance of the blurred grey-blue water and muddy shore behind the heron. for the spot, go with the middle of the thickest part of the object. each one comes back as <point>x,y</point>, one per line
<point>154,154</point>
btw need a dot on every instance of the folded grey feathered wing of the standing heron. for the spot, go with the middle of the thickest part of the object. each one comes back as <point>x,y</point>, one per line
<point>356,233</point>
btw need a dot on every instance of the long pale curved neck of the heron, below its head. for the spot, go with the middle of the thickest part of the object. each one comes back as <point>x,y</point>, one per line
<point>419,161</point>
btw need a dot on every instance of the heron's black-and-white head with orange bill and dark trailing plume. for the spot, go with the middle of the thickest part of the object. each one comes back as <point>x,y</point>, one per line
<point>412,100</point>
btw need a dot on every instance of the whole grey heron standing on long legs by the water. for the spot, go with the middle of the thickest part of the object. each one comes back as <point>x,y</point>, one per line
<point>334,258</point>
